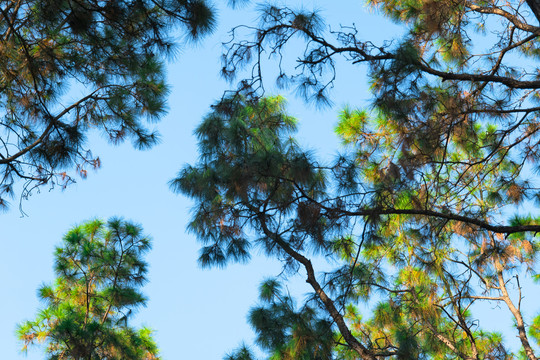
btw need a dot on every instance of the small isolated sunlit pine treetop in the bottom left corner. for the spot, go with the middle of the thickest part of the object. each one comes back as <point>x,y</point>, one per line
<point>100,269</point>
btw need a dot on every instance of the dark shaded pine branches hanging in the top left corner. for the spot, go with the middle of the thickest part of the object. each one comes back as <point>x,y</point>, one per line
<point>69,67</point>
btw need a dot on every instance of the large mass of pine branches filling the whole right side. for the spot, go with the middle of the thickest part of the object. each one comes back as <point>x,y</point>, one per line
<point>420,209</point>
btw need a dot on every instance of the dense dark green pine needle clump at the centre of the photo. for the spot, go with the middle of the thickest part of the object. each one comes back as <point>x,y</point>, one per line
<point>249,159</point>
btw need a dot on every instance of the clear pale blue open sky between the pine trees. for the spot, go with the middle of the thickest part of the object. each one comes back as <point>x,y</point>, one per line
<point>196,313</point>
